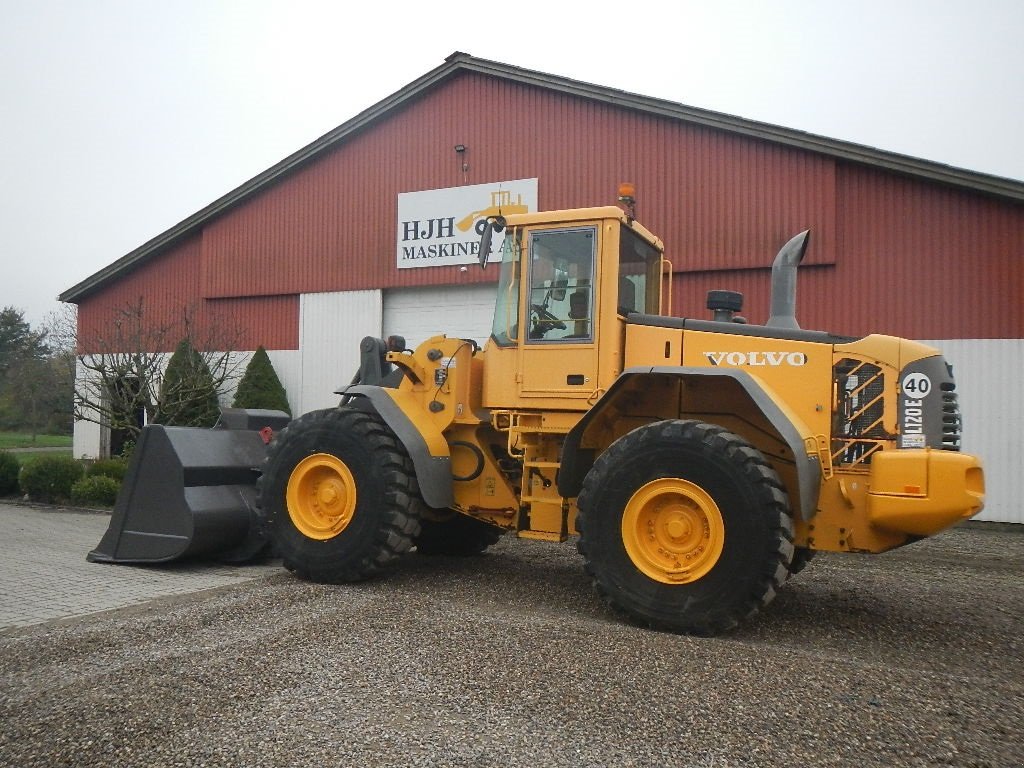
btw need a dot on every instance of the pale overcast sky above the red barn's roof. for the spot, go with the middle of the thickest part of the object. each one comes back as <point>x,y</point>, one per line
<point>121,118</point>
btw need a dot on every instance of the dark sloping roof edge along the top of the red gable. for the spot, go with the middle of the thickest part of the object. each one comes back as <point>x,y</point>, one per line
<point>459,63</point>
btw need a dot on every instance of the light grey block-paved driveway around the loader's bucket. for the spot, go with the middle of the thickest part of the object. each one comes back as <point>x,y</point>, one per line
<point>45,574</point>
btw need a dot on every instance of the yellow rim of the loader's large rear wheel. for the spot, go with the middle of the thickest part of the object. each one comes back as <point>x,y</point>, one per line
<point>673,531</point>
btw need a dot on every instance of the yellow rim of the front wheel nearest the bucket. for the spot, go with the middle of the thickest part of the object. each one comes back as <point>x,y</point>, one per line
<point>321,496</point>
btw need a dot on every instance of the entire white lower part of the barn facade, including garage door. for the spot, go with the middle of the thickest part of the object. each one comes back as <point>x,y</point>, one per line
<point>989,372</point>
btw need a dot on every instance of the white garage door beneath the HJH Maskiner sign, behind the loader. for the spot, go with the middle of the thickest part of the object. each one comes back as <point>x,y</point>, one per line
<point>458,312</point>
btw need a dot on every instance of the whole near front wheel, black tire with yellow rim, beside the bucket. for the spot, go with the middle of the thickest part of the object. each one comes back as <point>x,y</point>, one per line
<point>338,496</point>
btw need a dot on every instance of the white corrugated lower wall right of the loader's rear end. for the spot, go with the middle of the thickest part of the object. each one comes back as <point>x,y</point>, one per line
<point>990,374</point>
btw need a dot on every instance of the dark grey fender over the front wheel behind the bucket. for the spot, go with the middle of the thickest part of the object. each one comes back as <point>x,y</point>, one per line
<point>434,472</point>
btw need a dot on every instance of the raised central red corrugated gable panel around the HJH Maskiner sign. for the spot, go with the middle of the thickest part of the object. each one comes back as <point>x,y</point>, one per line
<point>331,226</point>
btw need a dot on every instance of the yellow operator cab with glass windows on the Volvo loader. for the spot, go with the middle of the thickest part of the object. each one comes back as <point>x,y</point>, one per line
<point>569,280</point>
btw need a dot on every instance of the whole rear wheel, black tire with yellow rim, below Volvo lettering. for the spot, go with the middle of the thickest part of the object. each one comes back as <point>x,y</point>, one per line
<point>687,527</point>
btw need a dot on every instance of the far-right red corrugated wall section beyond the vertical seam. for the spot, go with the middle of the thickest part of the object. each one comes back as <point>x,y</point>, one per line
<point>926,262</point>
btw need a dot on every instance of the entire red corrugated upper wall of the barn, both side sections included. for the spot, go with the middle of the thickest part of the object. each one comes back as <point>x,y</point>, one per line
<point>888,253</point>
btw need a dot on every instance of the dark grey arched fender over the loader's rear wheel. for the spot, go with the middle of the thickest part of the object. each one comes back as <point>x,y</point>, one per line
<point>577,461</point>
